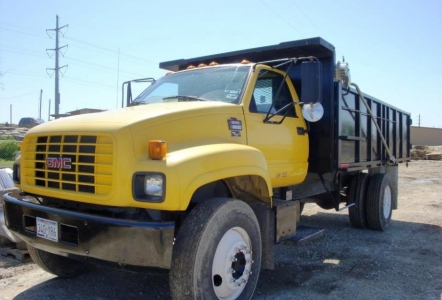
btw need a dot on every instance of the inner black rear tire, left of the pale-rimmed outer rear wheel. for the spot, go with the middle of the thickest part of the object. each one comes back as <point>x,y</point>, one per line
<point>357,195</point>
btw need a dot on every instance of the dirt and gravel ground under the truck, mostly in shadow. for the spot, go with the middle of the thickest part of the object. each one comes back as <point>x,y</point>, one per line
<point>404,262</point>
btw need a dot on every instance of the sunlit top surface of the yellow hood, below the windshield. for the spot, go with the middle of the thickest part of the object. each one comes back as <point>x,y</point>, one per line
<point>129,116</point>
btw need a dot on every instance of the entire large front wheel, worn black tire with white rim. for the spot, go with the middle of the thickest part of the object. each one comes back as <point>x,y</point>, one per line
<point>217,252</point>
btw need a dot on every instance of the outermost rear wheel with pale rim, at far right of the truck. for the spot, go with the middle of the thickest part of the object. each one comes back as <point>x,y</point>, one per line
<point>380,199</point>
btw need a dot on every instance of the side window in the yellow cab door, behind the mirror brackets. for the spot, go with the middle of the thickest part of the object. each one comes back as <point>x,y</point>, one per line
<point>265,91</point>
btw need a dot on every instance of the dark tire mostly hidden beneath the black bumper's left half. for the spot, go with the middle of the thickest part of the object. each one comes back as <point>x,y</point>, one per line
<point>56,264</point>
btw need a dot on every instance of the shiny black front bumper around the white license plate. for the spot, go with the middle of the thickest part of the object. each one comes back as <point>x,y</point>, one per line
<point>126,242</point>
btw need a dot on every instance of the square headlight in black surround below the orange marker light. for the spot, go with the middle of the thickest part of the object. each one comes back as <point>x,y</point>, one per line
<point>149,187</point>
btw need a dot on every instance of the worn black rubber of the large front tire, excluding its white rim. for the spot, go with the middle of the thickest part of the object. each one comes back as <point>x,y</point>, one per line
<point>196,242</point>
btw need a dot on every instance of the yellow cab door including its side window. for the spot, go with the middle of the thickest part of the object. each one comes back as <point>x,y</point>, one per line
<point>282,140</point>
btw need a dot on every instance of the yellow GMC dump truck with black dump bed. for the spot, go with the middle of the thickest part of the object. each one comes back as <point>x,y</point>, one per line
<point>208,169</point>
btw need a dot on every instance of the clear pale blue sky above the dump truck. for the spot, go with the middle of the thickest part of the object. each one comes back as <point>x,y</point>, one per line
<point>392,46</point>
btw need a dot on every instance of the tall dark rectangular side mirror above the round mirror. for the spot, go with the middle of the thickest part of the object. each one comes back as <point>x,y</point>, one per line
<point>311,91</point>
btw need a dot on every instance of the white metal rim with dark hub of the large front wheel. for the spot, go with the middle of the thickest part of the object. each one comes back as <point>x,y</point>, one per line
<point>232,264</point>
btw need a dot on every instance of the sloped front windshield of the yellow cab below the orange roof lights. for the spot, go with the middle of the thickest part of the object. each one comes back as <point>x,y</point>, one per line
<point>223,83</point>
